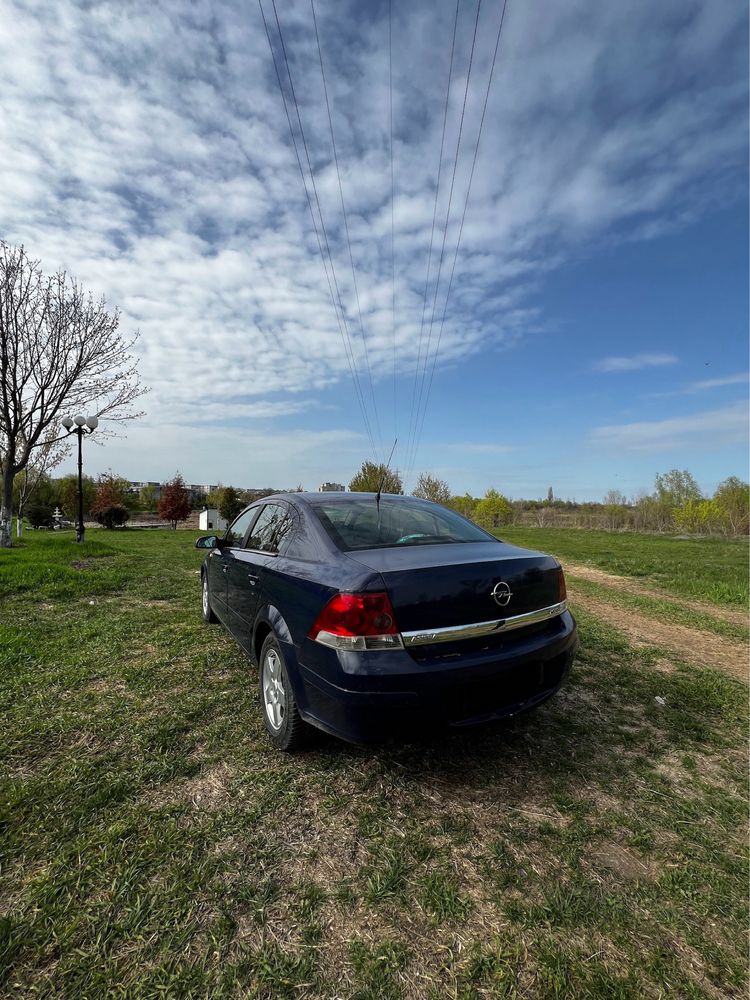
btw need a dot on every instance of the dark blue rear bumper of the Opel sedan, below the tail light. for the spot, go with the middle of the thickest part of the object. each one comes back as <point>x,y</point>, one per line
<point>370,698</point>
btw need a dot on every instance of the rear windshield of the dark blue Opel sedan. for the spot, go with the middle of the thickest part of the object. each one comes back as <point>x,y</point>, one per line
<point>356,524</point>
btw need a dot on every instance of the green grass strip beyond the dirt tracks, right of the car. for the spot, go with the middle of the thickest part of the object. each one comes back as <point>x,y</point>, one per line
<point>712,569</point>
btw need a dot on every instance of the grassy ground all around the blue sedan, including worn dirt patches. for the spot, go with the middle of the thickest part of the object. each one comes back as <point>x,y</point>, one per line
<point>153,845</point>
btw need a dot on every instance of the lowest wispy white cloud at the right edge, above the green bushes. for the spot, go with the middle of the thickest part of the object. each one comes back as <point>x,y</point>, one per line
<point>709,429</point>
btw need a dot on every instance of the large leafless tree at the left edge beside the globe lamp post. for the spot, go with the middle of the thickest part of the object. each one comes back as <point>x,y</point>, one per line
<point>58,347</point>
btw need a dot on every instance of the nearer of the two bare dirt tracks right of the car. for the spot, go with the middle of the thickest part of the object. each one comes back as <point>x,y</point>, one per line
<point>691,645</point>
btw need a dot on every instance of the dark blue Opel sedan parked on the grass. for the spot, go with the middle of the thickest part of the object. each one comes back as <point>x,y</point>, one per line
<point>373,616</point>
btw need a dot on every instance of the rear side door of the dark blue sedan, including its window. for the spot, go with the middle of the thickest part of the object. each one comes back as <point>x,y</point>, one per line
<point>247,566</point>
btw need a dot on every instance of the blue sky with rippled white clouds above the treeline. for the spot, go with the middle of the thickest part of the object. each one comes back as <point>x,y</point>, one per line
<point>595,328</point>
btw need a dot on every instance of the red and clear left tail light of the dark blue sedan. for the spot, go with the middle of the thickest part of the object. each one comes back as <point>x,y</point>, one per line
<point>357,621</point>
